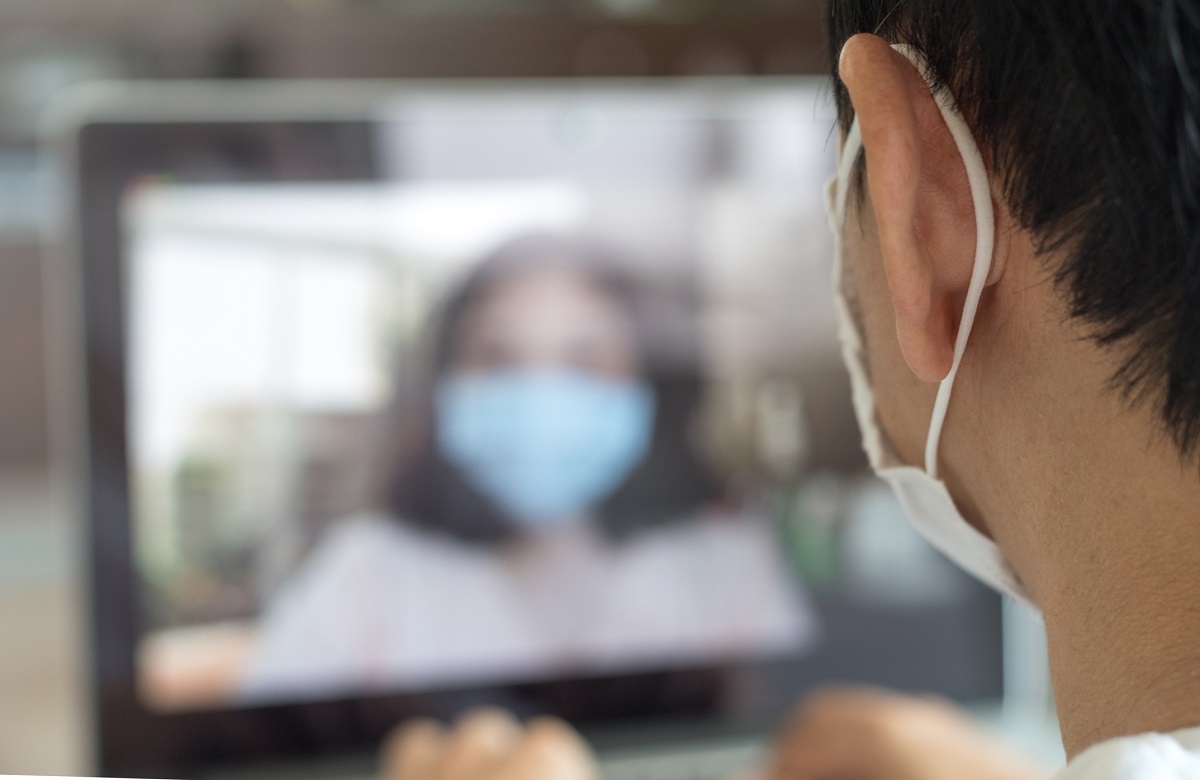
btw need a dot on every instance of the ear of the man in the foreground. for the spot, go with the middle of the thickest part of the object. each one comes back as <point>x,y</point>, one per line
<point>922,199</point>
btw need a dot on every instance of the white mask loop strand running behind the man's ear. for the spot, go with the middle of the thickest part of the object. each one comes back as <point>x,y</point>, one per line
<point>986,239</point>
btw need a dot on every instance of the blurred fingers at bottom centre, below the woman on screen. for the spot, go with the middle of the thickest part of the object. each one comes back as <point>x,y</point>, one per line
<point>488,745</point>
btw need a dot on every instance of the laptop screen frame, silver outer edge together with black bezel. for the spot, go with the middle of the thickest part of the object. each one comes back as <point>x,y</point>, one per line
<point>117,135</point>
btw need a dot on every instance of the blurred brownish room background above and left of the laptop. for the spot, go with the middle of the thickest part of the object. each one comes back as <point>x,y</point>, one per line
<point>49,46</point>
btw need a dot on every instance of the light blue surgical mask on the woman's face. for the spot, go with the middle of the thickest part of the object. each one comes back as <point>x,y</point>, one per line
<point>548,445</point>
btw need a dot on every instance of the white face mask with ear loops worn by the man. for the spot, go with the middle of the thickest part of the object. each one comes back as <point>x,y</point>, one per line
<point>925,497</point>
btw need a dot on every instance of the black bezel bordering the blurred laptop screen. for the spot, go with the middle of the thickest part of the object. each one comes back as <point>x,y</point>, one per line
<point>134,741</point>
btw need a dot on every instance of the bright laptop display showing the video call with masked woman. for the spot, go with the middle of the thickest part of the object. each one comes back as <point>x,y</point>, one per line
<point>559,397</point>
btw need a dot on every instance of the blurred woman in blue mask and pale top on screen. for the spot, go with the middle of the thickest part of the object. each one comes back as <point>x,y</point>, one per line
<point>544,511</point>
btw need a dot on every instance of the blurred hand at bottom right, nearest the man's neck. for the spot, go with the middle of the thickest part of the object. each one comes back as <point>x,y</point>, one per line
<point>872,735</point>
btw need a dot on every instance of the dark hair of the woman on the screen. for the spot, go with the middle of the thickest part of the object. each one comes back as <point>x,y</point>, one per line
<point>419,487</point>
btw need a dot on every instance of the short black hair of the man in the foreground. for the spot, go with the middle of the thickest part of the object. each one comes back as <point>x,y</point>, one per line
<point>1091,117</point>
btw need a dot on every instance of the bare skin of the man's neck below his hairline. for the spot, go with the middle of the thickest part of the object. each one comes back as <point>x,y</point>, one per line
<point>1093,506</point>
